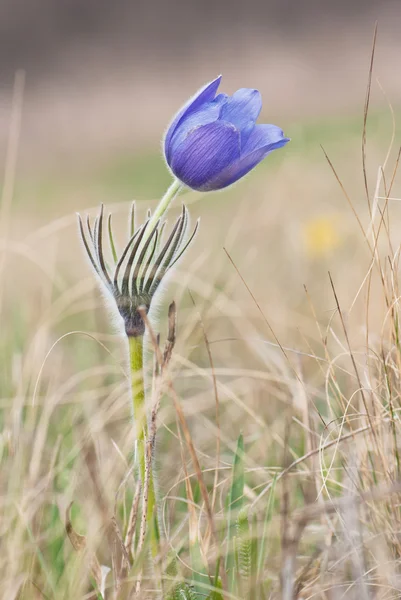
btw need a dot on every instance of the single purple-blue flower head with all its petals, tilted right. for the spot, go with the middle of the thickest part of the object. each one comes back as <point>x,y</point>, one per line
<point>213,140</point>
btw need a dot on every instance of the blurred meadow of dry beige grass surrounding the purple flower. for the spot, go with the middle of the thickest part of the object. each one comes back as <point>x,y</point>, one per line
<point>287,303</point>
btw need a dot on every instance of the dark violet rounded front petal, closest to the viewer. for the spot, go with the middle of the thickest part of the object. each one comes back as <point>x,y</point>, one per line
<point>205,153</point>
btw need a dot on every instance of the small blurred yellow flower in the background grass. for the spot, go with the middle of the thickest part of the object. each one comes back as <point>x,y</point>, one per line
<point>321,236</point>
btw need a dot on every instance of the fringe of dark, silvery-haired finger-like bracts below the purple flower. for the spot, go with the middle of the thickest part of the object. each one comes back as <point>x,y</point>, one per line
<point>136,274</point>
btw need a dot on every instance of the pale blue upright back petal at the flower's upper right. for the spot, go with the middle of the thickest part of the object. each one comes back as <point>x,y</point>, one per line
<point>242,110</point>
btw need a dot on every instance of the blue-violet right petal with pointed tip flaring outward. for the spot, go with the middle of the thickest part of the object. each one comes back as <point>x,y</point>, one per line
<point>263,140</point>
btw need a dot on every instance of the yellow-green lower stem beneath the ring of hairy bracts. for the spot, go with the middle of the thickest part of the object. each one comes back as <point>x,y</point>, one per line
<point>142,433</point>
